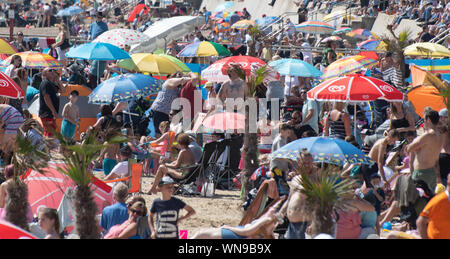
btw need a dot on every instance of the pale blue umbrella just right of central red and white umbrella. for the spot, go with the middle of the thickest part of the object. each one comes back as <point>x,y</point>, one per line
<point>295,67</point>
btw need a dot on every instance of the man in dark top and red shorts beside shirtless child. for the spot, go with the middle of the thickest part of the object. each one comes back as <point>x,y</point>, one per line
<point>49,100</point>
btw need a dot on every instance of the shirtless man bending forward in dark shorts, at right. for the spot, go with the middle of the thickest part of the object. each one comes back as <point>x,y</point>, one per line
<point>378,154</point>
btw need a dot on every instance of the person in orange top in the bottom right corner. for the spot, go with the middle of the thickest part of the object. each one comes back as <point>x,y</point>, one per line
<point>434,220</point>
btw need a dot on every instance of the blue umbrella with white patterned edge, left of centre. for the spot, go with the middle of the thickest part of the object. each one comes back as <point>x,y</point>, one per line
<point>123,88</point>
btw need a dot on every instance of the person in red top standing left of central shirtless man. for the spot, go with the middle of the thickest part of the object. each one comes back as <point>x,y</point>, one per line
<point>188,92</point>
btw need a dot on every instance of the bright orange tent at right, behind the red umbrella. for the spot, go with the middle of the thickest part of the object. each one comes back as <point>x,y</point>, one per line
<point>426,95</point>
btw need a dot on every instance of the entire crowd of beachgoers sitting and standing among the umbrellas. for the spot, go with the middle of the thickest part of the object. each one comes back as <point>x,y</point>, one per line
<point>407,151</point>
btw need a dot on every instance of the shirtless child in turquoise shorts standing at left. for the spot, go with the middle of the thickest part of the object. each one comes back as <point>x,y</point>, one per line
<point>71,116</point>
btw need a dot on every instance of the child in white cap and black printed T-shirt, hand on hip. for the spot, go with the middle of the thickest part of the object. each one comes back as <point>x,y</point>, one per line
<point>167,210</point>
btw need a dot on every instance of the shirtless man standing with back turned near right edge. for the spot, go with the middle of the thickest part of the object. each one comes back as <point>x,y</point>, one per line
<point>426,149</point>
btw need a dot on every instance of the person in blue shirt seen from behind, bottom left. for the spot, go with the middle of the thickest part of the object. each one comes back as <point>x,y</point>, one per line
<point>117,213</point>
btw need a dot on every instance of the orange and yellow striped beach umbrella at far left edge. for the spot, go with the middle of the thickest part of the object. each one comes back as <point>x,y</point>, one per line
<point>35,60</point>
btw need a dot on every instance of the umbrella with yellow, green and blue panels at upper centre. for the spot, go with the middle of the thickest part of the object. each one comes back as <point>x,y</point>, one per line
<point>204,49</point>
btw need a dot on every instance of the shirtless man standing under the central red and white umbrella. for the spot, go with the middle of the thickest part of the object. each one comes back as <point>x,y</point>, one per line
<point>234,88</point>
